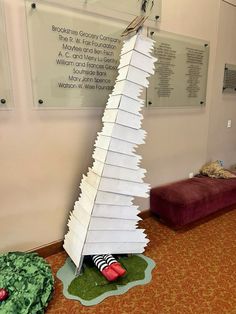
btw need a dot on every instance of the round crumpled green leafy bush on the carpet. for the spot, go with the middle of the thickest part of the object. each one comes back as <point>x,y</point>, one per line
<point>29,281</point>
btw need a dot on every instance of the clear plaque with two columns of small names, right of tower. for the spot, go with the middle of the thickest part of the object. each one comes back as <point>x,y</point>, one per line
<point>181,71</point>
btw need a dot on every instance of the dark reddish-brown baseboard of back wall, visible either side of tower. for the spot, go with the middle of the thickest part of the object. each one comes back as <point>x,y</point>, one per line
<point>57,246</point>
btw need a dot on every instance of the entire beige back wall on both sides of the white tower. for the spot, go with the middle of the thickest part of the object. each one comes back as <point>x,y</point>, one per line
<point>43,154</point>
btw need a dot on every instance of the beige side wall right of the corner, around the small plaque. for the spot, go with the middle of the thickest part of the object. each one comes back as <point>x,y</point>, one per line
<point>222,140</point>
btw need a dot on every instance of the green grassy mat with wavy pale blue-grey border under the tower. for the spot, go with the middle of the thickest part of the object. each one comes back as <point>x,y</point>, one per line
<point>91,288</point>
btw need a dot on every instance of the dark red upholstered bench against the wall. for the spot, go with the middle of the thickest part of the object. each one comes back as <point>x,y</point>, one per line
<point>186,201</point>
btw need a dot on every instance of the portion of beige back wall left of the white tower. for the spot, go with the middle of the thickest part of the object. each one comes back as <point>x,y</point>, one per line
<point>43,154</point>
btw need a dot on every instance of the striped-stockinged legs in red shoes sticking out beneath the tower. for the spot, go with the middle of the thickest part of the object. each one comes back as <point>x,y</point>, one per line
<point>108,266</point>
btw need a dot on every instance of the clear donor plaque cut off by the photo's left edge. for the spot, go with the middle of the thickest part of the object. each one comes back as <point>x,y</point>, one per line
<point>5,77</point>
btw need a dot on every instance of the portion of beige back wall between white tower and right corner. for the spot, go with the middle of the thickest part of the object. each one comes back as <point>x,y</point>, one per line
<point>177,138</point>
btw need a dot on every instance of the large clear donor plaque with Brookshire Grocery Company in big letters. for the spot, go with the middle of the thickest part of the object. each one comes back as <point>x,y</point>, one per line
<point>74,56</point>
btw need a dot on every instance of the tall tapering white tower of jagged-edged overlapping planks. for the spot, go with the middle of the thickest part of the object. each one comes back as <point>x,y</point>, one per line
<point>104,219</point>
